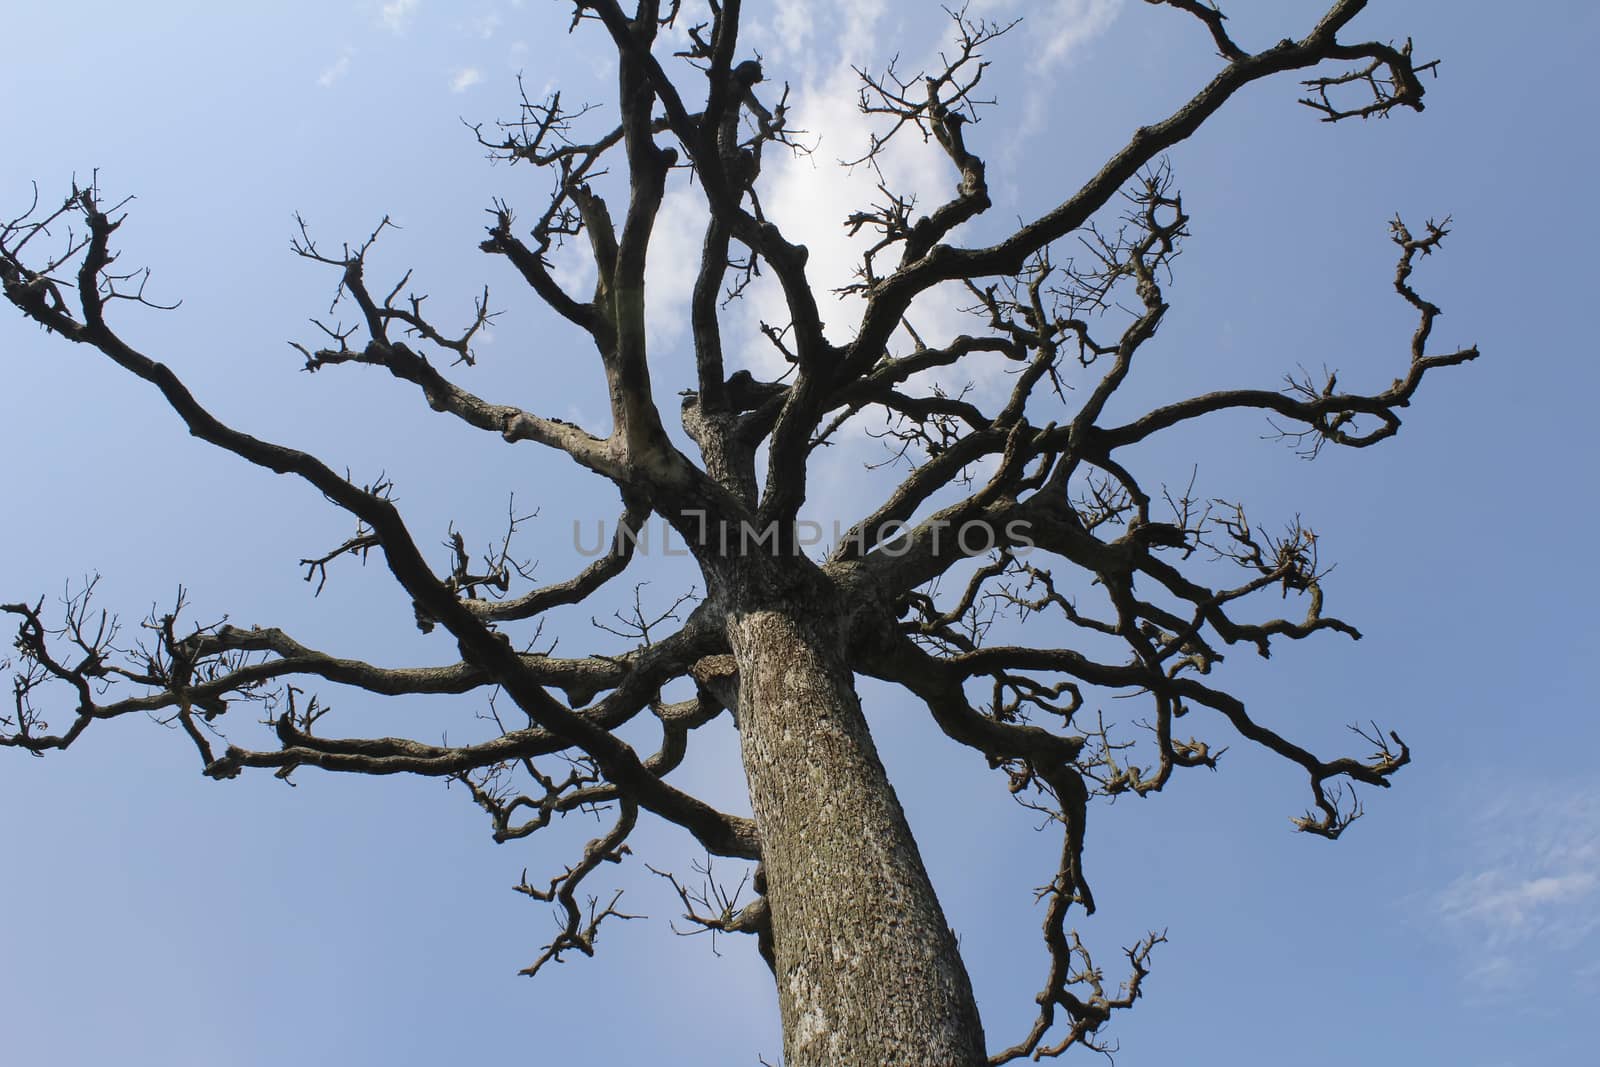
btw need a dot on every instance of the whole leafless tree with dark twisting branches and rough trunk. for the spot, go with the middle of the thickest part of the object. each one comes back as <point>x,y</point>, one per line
<point>1025,500</point>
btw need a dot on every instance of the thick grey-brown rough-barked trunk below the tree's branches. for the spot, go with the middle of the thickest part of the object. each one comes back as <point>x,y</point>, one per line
<point>868,970</point>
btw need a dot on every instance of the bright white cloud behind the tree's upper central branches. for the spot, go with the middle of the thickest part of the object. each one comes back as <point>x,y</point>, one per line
<point>815,47</point>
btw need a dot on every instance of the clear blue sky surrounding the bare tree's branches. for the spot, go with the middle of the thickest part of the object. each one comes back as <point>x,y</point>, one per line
<point>153,916</point>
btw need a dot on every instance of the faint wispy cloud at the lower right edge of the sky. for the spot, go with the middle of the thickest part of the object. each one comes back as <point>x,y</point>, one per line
<point>1530,898</point>
